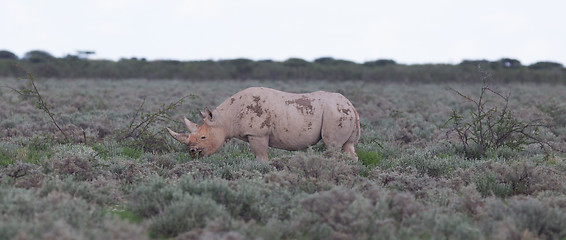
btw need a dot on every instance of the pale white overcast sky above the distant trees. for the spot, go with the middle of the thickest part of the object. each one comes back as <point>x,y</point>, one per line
<point>411,32</point>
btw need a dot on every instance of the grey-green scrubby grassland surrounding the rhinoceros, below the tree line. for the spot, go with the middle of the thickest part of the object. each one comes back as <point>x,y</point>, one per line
<point>413,180</point>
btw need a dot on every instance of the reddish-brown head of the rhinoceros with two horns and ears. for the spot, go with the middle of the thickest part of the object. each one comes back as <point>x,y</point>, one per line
<point>203,140</point>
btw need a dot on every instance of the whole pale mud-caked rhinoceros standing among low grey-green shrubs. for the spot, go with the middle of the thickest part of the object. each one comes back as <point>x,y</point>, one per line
<point>267,117</point>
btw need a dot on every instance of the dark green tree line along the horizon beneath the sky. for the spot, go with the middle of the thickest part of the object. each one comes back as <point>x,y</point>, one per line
<point>44,65</point>
